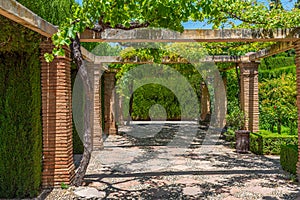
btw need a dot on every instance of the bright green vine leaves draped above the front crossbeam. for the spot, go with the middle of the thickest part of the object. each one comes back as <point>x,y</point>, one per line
<point>99,15</point>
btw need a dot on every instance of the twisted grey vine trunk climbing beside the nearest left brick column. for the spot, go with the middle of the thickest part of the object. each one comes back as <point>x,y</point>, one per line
<point>87,143</point>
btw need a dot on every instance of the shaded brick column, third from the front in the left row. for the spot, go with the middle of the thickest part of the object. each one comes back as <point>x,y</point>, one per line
<point>110,126</point>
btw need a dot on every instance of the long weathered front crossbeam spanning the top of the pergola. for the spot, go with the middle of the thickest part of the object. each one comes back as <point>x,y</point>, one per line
<point>202,35</point>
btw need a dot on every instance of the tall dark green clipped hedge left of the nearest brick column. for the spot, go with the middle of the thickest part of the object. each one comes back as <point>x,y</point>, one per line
<point>20,112</point>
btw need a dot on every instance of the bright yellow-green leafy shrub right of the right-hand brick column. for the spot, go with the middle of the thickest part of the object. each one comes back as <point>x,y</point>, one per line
<point>278,106</point>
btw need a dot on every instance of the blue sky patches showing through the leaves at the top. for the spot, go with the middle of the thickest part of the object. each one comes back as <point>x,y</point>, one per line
<point>287,4</point>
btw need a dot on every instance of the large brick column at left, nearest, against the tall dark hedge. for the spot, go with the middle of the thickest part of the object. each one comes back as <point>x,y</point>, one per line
<point>58,164</point>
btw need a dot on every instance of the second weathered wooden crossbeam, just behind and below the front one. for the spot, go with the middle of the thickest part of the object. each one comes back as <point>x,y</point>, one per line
<point>136,60</point>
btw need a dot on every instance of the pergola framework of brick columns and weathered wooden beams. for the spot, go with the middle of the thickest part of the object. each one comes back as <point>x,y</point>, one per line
<point>58,164</point>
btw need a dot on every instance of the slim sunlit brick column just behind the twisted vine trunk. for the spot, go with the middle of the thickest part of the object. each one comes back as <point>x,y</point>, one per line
<point>97,127</point>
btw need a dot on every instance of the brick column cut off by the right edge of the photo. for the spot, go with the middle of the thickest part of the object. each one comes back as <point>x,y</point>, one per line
<point>297,48</point>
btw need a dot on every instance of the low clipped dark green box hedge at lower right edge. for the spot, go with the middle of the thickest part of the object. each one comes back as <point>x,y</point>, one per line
<point>289,158</point>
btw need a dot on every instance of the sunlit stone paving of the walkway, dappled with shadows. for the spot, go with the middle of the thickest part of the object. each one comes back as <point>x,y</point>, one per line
<point>144,162</point>
